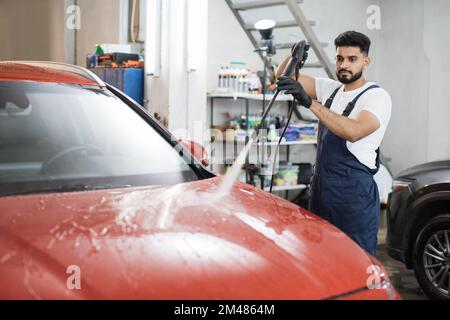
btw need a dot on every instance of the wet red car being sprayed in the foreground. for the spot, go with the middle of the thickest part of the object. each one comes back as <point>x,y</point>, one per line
<point>98,202</point>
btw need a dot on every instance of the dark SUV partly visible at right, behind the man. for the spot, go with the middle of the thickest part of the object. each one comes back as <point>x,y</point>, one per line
<point>419,225</point>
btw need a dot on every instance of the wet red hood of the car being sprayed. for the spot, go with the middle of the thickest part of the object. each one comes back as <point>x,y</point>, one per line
<point>172,242</point>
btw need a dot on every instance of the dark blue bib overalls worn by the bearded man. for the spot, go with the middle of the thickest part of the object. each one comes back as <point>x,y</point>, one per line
<point>343,190</point>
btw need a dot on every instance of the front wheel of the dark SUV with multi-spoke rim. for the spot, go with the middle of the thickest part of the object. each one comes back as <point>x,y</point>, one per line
<point>431,258</point>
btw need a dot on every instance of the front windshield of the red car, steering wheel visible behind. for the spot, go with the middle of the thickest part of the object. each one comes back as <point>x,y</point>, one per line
<point>59,137</point>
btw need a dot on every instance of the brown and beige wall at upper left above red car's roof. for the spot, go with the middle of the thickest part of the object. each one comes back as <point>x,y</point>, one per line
<point>34,30</point>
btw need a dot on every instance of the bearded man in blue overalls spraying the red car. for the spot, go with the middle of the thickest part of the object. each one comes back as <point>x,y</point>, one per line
<point>354,114</point>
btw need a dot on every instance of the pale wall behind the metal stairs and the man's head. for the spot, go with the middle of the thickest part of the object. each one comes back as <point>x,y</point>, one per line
<point>228,42</point>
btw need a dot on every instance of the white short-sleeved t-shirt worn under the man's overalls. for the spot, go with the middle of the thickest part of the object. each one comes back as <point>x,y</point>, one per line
<point>377,101</point>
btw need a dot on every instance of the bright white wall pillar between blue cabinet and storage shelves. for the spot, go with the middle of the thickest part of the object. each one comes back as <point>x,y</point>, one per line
<point>179,94</point>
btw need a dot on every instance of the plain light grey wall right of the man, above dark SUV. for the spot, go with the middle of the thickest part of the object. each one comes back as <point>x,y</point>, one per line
<point>415,74</point>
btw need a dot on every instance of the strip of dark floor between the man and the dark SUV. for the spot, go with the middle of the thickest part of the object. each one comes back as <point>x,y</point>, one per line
<point>402,279</point>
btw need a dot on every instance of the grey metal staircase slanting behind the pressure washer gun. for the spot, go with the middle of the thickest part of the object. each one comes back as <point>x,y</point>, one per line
<point>299,20</point>
